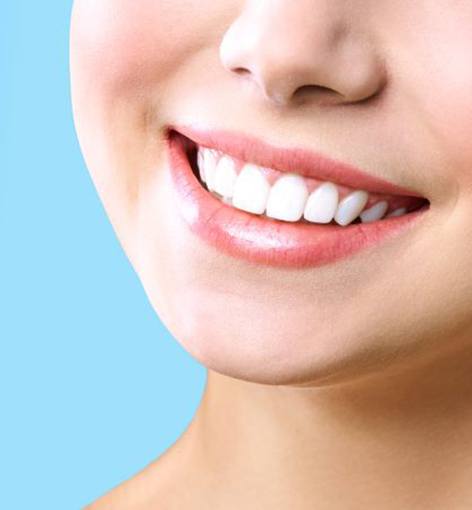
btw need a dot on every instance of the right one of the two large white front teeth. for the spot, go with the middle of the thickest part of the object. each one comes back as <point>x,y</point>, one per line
<point>287,198</point>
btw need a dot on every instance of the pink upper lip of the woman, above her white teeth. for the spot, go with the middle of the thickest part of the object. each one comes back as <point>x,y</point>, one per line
<point>297,160</point>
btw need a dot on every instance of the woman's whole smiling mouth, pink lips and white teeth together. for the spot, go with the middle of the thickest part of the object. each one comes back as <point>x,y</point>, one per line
<point>282,207</point>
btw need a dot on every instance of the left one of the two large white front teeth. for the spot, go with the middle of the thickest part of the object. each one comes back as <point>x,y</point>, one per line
<point>251,190</point>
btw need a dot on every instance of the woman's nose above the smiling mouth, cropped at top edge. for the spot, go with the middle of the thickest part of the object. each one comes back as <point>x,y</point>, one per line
<point>303,50</point>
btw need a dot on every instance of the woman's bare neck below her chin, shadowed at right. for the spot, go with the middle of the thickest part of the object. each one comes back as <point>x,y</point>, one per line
<point>381,441</point>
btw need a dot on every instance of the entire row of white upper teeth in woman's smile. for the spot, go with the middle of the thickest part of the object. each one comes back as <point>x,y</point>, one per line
<point>288,199</point>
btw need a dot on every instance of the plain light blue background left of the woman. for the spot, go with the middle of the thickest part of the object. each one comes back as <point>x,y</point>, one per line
<point>92,386</point>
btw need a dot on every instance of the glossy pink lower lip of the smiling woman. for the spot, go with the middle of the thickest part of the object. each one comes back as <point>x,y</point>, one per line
<point>265,241</point>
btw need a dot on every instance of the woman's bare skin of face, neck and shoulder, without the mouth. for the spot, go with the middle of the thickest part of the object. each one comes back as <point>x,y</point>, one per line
<point>344,386</point>
